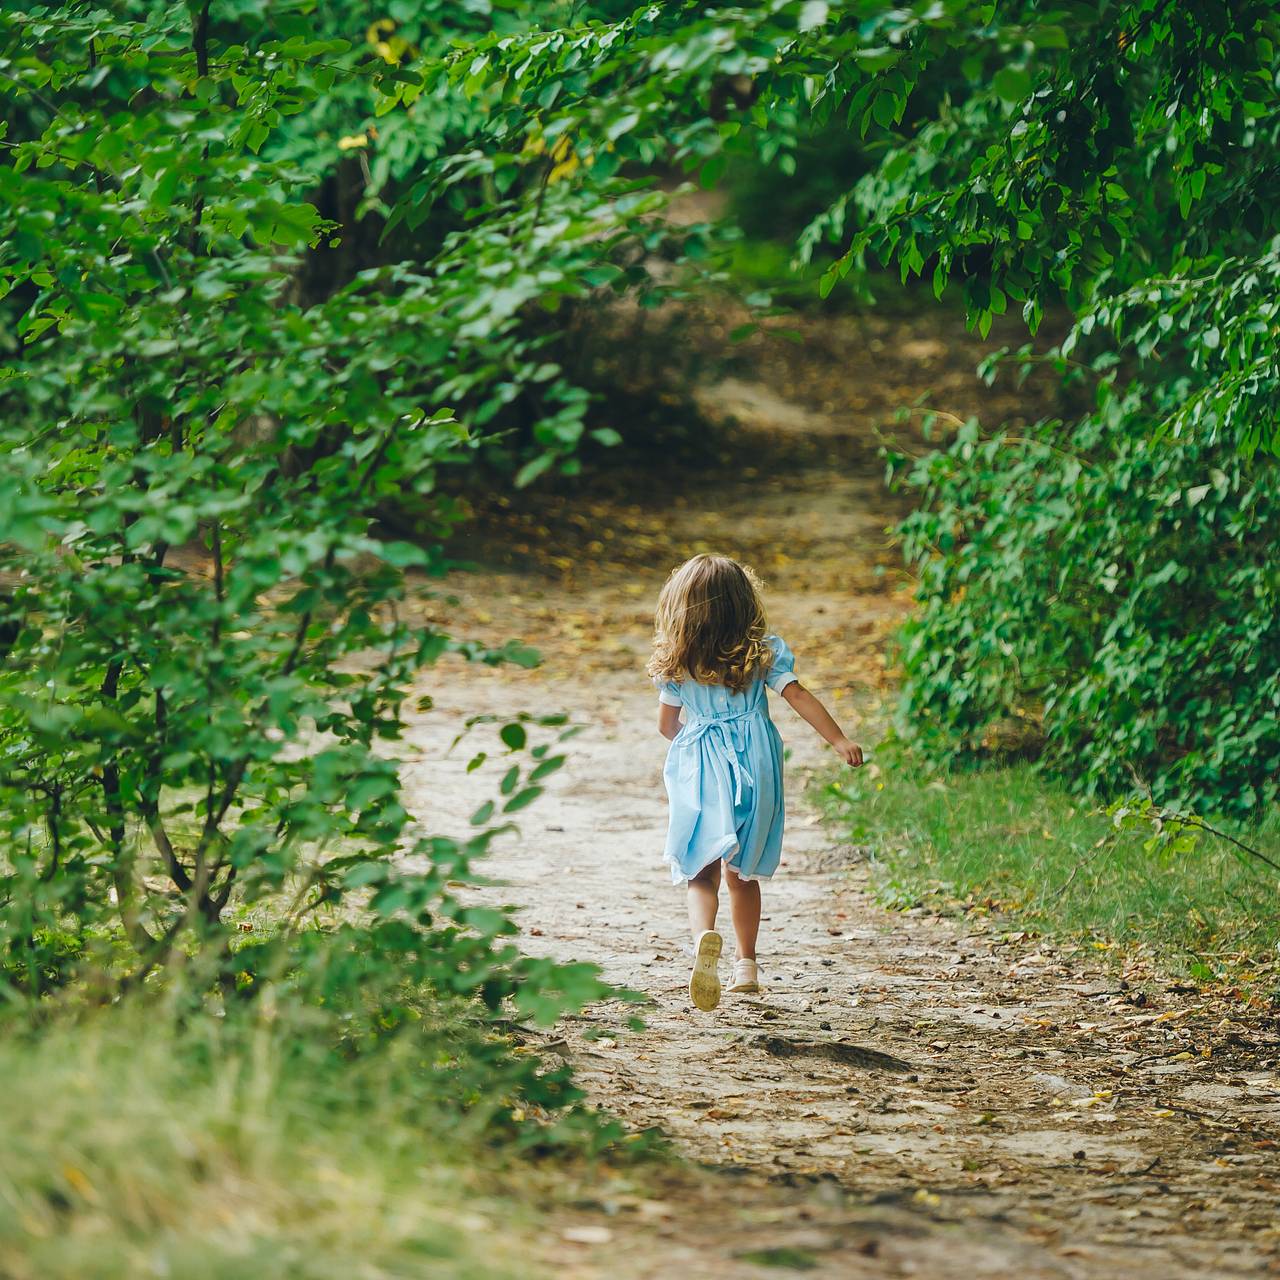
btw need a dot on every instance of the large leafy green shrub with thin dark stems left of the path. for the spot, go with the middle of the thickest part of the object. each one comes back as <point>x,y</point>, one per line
<point>205,657</point>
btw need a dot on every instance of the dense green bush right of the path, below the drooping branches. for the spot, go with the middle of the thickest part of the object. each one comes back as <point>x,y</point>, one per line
<point>1116,597</point>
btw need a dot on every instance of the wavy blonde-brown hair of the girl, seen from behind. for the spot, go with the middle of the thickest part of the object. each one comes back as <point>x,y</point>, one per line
<point>711,625</point>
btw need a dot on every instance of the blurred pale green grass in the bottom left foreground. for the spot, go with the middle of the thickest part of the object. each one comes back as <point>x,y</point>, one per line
<point>135,1145</point>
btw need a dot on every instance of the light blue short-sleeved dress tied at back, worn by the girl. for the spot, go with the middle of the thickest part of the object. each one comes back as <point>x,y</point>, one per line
<point>724,775</point>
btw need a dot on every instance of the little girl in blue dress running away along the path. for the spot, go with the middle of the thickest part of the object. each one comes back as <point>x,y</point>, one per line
<point>712,659</point>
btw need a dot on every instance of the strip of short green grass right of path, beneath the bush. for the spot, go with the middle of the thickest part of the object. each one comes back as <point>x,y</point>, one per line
<point>1008,840</point>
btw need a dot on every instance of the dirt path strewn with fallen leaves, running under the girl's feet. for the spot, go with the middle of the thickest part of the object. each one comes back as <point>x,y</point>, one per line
<point>1020,1114</point>
